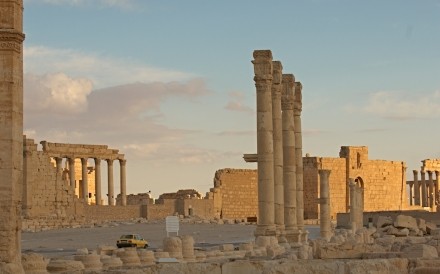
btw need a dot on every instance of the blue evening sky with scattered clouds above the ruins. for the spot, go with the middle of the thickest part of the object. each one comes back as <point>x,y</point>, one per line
<point>170,83</point>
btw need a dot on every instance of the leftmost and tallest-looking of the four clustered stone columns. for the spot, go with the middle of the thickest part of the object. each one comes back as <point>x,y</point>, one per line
<point>263,83</point>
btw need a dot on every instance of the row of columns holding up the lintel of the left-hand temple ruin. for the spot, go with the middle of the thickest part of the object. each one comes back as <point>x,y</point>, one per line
<point>84,170</point>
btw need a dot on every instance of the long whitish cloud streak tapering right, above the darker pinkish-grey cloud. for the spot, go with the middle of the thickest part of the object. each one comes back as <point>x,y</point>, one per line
<point>103,71</point>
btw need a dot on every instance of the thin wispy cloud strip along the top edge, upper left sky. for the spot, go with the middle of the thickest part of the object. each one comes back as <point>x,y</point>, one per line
<point>125,4</point>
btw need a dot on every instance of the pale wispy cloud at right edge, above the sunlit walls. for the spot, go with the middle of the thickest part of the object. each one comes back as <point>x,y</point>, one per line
<point>401,106</point>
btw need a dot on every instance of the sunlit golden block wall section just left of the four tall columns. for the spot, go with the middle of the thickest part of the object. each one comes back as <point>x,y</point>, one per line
<point>238,191</point>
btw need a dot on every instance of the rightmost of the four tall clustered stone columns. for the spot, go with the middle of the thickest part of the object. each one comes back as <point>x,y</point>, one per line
<point>298,152</point>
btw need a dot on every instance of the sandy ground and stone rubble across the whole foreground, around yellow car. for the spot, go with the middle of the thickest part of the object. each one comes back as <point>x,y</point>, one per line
<point>402,245</point>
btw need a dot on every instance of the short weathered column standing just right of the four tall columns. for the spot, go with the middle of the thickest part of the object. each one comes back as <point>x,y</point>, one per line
<point>324,205</point>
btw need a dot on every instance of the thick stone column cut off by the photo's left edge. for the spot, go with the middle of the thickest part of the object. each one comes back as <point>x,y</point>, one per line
<point>11,133</point>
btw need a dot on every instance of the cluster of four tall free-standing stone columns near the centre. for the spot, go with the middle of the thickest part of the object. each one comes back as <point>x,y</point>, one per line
<point>279,150</point>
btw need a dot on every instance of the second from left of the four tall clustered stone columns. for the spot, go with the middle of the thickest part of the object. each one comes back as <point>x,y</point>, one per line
<point>278,150</point>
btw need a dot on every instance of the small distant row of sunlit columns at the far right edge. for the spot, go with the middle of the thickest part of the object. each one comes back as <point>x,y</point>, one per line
<point>424,193</point>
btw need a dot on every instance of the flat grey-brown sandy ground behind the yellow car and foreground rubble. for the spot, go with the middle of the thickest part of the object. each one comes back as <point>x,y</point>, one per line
<point>65,242</point>
